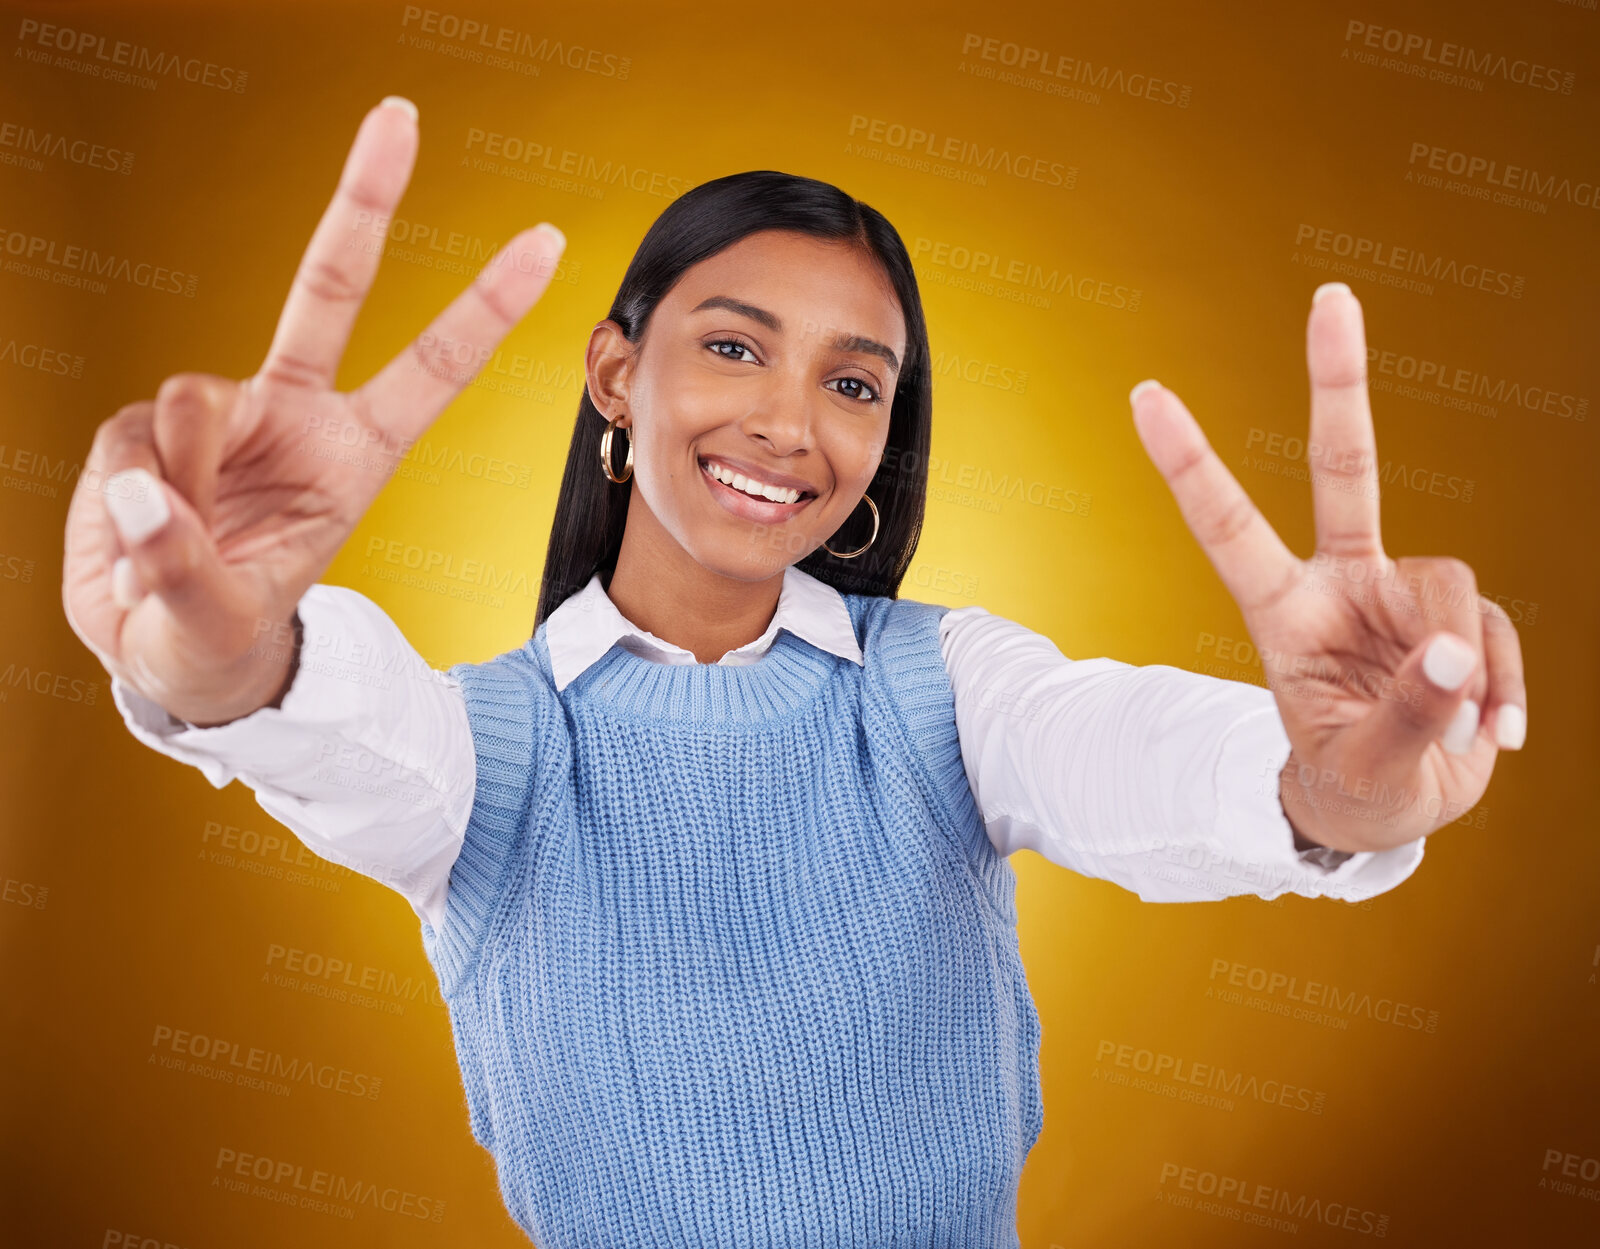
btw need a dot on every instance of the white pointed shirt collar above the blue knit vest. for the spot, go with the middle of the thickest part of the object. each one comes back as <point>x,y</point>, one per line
<point>588,624</point>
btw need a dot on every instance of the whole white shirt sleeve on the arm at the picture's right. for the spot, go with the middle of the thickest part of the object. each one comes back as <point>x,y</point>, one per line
<point>1159,780</point>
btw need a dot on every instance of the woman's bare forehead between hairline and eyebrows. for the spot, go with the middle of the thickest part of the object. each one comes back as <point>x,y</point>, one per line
<point>810,284</point>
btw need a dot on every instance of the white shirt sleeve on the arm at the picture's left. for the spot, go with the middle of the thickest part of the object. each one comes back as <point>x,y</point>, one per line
<point>369,760</point>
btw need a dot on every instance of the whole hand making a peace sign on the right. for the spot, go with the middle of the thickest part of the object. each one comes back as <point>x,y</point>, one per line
<point>1398,682</point>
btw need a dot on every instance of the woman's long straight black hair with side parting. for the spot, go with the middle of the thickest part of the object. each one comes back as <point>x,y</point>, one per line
<point>591,511</point>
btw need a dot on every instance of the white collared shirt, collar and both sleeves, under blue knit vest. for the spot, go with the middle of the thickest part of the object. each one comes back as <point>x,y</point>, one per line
<point>1159,780</point>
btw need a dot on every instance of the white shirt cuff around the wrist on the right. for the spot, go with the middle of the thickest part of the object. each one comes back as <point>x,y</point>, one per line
<point>1258,839</point>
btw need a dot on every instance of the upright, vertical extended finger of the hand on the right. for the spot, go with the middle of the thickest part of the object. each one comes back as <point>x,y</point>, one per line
<point>1342,450</point>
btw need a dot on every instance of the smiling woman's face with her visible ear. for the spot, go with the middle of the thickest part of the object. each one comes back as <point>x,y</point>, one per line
<point>777,361</point>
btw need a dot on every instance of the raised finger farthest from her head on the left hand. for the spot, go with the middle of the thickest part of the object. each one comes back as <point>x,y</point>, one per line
<point>342,260</point>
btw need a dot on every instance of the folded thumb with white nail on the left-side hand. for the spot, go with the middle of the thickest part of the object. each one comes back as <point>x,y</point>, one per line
<point>167,553</point>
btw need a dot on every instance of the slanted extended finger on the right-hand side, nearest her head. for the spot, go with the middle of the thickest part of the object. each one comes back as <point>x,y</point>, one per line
<point>1242,546</point>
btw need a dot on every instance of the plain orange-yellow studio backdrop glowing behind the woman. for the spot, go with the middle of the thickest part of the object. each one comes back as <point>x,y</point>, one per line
<point>1092,194</point>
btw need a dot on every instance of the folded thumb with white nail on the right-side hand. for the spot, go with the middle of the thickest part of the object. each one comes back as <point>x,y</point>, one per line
<point>1428,703</point>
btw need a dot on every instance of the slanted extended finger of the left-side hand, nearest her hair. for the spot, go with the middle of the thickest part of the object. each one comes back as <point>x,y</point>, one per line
<point>418,385</point>
